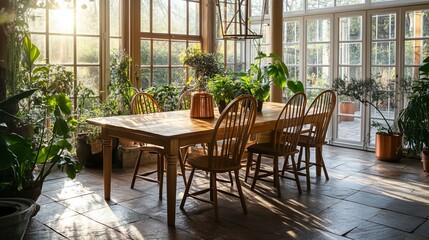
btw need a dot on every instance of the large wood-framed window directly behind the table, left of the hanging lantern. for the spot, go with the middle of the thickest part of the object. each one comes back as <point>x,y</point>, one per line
<point>167,29</point>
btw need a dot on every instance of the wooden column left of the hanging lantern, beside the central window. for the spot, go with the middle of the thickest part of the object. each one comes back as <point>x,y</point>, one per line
<point>208,25</point>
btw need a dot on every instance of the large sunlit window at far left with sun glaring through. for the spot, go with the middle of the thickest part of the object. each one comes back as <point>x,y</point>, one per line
<point>68,33</point>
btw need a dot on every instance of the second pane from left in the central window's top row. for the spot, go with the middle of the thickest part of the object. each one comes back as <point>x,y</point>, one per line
<point>160,16</point>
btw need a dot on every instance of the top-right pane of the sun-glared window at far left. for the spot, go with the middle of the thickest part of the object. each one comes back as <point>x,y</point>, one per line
<point>87,17</point>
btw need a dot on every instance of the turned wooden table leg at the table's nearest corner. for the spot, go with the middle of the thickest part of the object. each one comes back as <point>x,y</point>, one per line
<point>172,157</point>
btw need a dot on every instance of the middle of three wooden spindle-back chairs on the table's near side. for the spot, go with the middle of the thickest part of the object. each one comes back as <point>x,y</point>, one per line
<point>284,144</point>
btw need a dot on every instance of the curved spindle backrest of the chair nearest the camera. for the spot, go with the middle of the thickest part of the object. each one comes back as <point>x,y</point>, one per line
<point>231,132</point>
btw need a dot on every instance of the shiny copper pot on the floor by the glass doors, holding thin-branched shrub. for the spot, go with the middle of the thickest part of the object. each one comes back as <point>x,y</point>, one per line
<point>388,147</point>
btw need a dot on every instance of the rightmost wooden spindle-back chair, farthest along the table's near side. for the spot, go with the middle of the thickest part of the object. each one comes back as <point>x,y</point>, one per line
<point>320,112</point>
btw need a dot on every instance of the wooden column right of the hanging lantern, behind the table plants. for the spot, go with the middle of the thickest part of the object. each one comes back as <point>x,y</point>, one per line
<point>276,30</point>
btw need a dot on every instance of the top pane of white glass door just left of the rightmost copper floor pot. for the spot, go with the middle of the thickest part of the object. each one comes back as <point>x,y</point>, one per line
<point>350,28</point>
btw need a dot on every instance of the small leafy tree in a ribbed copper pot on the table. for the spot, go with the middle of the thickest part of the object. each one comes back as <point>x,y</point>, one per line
<point>205,66</point>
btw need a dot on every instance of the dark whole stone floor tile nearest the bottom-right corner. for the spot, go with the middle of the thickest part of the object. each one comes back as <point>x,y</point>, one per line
<point>397,220</point>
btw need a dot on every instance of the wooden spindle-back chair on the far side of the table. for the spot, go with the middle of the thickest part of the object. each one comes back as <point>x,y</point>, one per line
<point>143,103</point>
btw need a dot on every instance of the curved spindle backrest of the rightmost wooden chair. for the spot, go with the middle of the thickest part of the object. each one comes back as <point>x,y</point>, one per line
<point>320,111</point>
